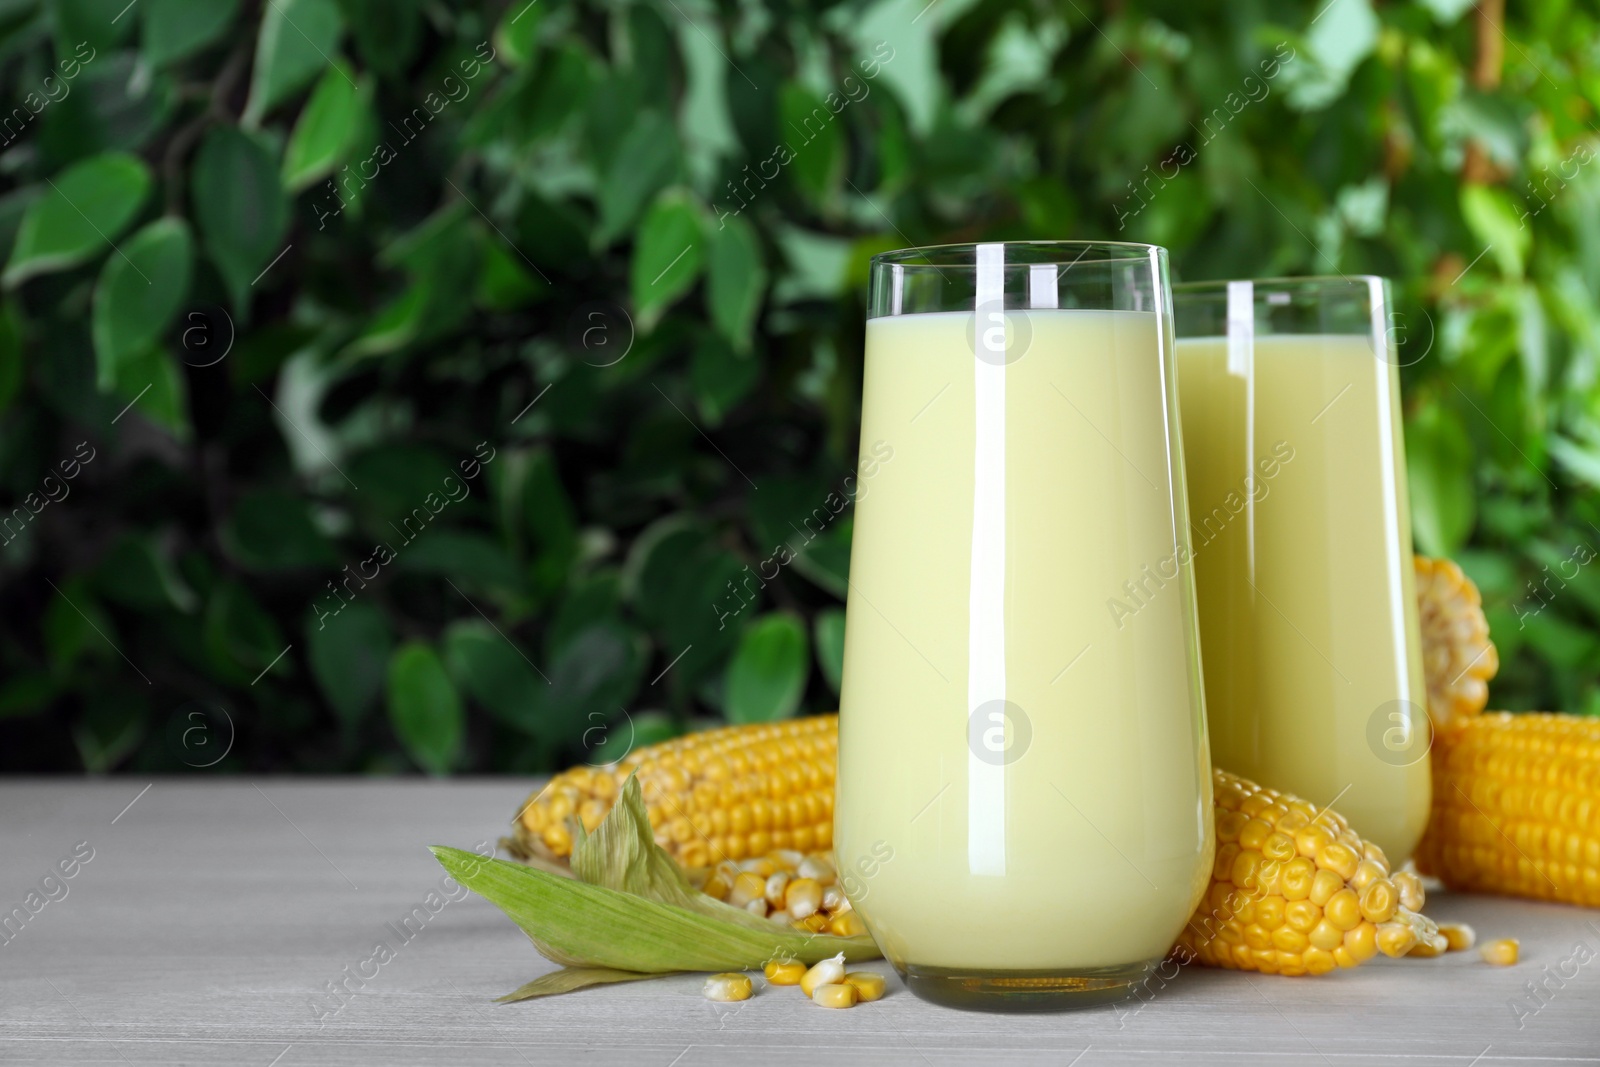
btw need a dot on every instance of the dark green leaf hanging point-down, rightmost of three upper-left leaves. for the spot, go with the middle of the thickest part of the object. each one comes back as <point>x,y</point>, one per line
<point>239,207</point>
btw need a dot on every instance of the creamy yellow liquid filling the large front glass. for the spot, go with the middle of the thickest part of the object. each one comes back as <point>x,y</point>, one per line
<point>1094,845</point>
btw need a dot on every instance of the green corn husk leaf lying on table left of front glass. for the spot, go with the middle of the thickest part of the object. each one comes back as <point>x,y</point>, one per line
<point>631,908</point>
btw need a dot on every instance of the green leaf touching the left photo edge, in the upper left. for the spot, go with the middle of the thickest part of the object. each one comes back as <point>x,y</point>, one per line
<point>87,206</point>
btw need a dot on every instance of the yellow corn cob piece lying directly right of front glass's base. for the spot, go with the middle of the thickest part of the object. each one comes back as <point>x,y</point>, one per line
<point>1295,890</point>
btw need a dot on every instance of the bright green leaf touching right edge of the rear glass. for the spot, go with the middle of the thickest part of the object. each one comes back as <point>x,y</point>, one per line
<point>1439,466</point>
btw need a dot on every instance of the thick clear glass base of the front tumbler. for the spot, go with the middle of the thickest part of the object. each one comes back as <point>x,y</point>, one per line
<point>1025,991</point>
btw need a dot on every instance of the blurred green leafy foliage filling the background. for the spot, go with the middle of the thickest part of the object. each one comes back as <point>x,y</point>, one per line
<point>394,385</point>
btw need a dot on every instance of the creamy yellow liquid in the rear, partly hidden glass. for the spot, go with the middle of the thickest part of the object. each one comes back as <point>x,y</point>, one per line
<point>1308,617</point>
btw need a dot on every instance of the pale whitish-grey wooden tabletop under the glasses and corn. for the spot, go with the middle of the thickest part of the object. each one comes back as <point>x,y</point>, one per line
<point>214,917</point>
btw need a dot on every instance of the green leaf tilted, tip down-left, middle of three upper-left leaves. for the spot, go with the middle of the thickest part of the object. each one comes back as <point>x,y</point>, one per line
<point>138,294</point>
